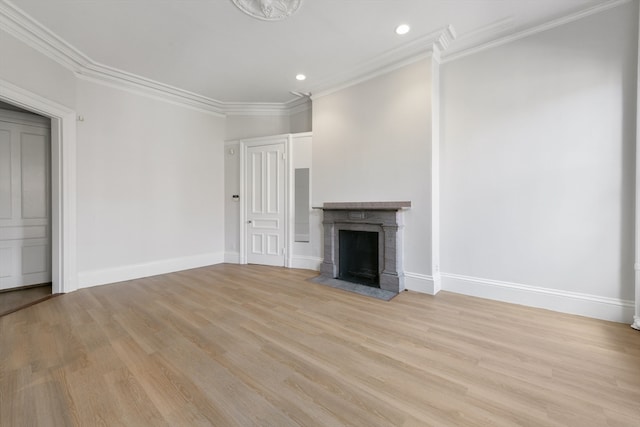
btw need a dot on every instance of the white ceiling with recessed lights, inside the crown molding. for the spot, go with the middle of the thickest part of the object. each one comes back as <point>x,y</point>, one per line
<point>211,48</point>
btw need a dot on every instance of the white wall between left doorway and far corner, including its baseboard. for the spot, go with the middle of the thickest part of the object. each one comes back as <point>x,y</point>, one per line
<point>150,186</point>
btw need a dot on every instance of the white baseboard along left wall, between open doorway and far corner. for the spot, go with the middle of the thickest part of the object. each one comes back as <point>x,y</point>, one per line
<point>88,279</point>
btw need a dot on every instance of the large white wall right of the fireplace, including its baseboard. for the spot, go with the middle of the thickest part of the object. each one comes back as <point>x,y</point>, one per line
<point>537,167</point>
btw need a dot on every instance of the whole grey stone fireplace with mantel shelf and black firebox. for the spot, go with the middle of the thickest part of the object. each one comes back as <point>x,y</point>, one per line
<point>363,243</point>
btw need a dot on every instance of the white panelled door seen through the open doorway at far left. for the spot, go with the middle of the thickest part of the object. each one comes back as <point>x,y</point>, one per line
<point>25,232</point>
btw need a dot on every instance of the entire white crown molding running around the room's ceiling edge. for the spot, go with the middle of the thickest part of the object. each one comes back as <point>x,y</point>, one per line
<point>26,29</point>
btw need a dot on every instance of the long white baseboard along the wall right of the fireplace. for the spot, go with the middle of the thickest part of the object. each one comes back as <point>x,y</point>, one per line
<point>598,307</point>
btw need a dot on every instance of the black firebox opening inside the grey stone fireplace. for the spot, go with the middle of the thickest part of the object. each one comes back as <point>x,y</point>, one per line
<point>359,257</point>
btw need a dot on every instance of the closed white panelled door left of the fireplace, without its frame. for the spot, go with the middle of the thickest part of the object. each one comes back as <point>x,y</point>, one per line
<point>265,206</point>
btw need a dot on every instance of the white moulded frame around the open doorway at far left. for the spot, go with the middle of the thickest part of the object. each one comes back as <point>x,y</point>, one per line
<point>63,181</point>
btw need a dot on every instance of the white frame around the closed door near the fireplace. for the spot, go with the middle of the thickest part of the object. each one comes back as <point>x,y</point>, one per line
<point>288,182</point>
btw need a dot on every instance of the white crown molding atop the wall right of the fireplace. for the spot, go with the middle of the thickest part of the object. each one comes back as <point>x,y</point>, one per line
<point>454,54</point>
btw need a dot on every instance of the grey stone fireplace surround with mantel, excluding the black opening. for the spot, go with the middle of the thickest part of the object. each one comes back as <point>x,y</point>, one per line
<point>385,218</point>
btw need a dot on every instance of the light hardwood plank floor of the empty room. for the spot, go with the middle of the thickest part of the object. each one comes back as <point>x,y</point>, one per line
<point>232,345</point>
